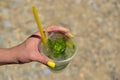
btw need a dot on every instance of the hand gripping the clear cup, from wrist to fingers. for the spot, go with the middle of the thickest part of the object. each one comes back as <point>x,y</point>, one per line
<point>28,50</point>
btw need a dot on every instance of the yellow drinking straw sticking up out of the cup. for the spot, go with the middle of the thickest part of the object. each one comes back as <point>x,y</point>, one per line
<point>39,25</point>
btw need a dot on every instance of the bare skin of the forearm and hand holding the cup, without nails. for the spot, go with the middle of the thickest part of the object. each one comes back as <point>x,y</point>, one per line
<point>28,50</point>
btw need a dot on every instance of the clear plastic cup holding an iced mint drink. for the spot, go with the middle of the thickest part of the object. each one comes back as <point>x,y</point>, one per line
<point>61,53</point>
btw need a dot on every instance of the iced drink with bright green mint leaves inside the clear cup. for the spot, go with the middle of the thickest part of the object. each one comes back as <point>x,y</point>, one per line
<point>60,47</point>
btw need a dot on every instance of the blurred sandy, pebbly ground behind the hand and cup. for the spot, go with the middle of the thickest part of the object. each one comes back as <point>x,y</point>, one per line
<point>94,23</point>
